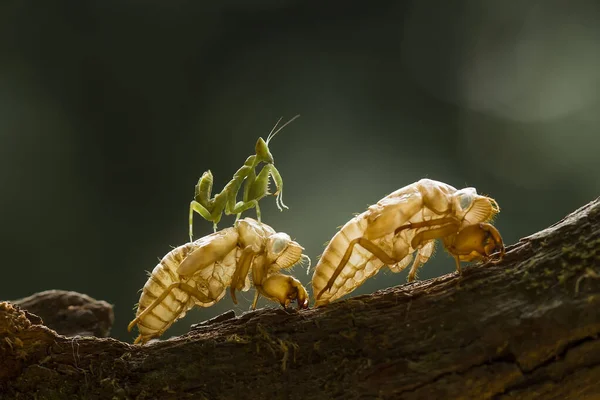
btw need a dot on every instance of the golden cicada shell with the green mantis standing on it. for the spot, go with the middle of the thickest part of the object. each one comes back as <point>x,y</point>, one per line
<point>198,273</point>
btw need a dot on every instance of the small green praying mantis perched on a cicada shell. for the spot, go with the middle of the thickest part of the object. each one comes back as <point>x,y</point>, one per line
<point>255,186</point>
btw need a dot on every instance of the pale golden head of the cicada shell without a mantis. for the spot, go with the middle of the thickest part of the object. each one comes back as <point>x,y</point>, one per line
<point>473,208</point>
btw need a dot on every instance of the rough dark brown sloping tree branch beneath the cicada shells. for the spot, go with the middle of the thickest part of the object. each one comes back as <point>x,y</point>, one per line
<point>524,328</point>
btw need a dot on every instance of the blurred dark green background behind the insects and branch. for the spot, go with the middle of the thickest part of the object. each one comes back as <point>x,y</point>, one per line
<point>110,111</point>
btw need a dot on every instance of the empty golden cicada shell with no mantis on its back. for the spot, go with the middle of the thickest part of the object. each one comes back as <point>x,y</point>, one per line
<point>406,221</point>
